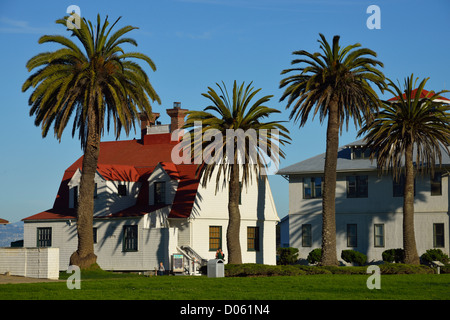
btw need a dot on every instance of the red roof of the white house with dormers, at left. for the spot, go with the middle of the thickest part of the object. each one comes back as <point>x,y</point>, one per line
<point>133,160</point>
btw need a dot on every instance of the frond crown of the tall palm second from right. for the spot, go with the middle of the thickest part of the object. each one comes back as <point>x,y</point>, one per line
<point>338,74</point>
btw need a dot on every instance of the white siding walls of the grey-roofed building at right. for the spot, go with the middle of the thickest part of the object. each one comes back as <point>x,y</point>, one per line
<point>379,207</point>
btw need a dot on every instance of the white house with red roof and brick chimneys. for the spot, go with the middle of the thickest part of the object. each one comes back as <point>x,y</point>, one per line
<point>148,209</point>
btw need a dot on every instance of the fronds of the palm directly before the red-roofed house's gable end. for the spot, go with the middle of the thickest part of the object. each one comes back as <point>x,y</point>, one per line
<point>238,114</point>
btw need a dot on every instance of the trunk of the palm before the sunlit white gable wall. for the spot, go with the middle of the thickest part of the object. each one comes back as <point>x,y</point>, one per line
<point>234,223</point>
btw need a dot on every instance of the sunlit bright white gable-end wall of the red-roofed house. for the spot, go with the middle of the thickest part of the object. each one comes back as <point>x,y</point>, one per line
<point>257,210</point>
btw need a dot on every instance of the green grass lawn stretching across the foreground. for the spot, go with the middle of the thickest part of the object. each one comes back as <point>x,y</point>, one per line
<point>309,287</point>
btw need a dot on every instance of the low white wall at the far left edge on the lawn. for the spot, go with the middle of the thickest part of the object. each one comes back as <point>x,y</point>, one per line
<point>30,262</point>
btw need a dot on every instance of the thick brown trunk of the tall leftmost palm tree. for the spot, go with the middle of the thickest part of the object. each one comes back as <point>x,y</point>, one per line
<point>84,257</point>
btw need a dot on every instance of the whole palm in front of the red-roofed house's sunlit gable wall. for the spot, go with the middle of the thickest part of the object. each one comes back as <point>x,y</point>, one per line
<point>222,119</point>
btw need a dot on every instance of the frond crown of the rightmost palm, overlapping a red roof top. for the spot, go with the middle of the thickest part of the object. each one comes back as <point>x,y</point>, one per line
<point>410,120</point>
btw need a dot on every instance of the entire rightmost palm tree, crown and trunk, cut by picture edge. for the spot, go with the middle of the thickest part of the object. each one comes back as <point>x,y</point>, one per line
<point>408,123</point>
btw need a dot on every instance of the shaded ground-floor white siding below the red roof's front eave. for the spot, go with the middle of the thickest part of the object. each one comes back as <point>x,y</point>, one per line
<point>154,244</point>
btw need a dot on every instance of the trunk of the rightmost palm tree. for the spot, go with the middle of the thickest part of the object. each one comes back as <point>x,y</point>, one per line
<point>409,240</point>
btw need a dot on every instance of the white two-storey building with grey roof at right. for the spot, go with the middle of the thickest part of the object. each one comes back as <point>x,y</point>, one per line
<point>368,206</point>
